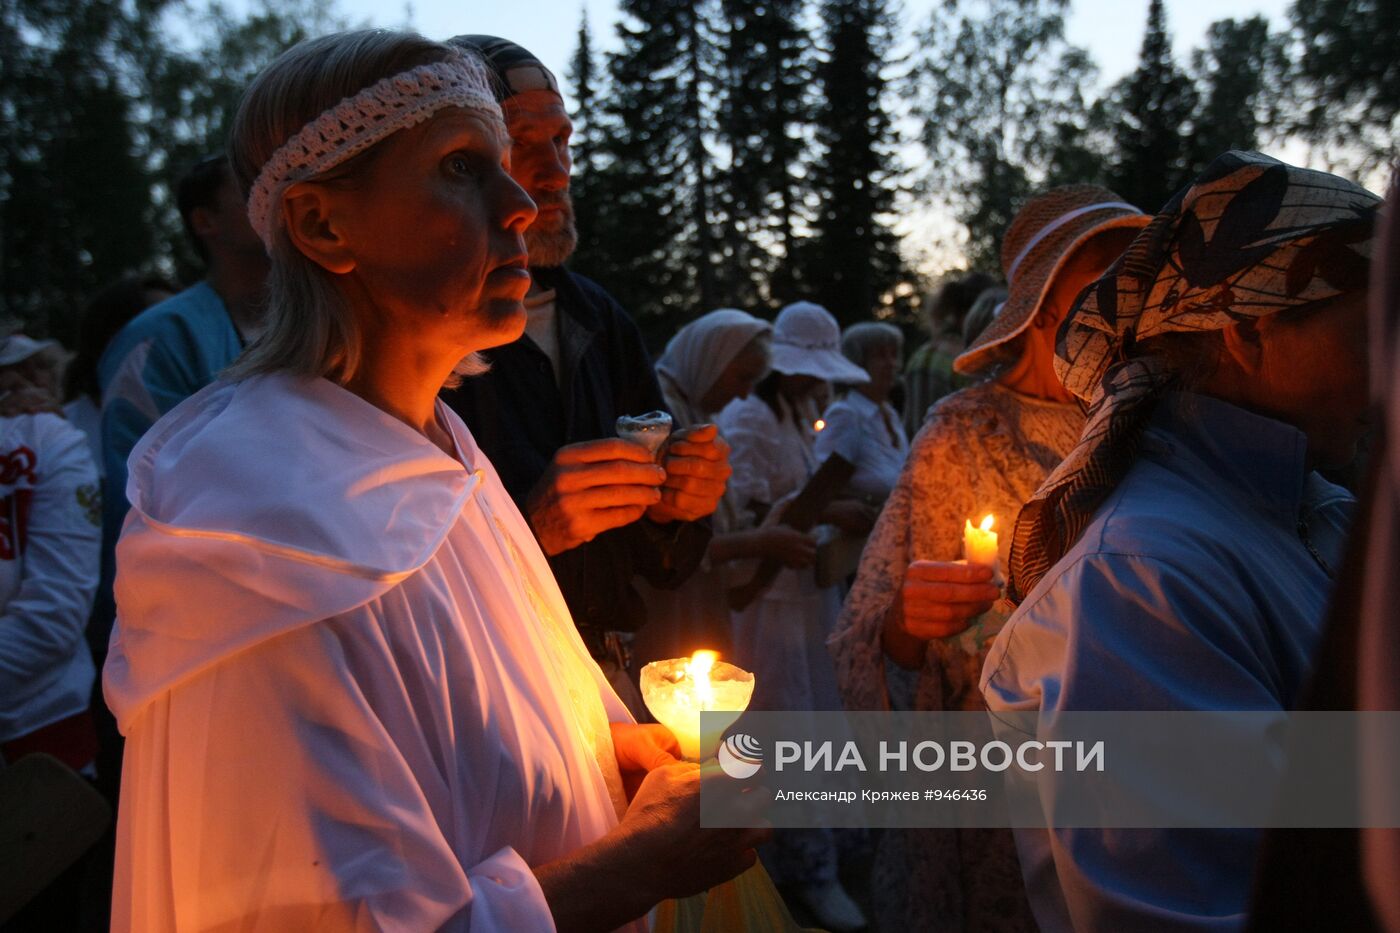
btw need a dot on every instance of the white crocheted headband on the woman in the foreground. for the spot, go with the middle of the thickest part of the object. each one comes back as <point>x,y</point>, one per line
<point>359,123</point>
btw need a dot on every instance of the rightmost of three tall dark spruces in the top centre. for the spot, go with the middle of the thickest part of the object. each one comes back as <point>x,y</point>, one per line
<point>853,263</point>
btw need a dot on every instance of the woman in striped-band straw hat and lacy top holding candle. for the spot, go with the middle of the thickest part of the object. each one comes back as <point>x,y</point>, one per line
<point>982,450</point>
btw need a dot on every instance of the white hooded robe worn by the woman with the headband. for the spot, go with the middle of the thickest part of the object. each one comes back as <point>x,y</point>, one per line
<point>352,691</point>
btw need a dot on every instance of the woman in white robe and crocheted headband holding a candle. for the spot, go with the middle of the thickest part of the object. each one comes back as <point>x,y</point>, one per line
<point>352,691</point>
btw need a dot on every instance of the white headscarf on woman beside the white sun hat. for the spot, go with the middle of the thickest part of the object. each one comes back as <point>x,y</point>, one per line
<point>699,354</point>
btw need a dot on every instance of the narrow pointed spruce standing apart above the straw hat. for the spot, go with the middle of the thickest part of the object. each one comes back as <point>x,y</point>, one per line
<point>1154,111</point>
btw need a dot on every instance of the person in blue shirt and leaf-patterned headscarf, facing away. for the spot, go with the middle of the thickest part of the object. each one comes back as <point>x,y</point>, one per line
<point>1182,555</point>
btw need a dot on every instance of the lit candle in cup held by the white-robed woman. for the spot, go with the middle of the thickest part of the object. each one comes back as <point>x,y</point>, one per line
<point>680,690</point>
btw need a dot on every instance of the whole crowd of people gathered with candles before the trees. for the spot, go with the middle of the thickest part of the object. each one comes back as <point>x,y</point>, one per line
<point>334,576</point>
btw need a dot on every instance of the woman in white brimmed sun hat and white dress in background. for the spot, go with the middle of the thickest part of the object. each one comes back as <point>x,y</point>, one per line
<point>780,637</point>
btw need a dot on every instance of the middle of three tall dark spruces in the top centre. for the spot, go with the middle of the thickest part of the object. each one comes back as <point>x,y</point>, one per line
<point>764,109</point>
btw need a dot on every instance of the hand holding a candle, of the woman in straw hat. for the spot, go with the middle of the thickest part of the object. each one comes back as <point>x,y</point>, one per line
<point>939,599</point>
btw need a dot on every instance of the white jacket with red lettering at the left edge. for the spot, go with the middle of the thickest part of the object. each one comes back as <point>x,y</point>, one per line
<point>51,516</point>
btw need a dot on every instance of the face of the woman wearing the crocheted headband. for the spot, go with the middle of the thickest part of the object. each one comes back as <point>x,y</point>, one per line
<point>435,226</point>
